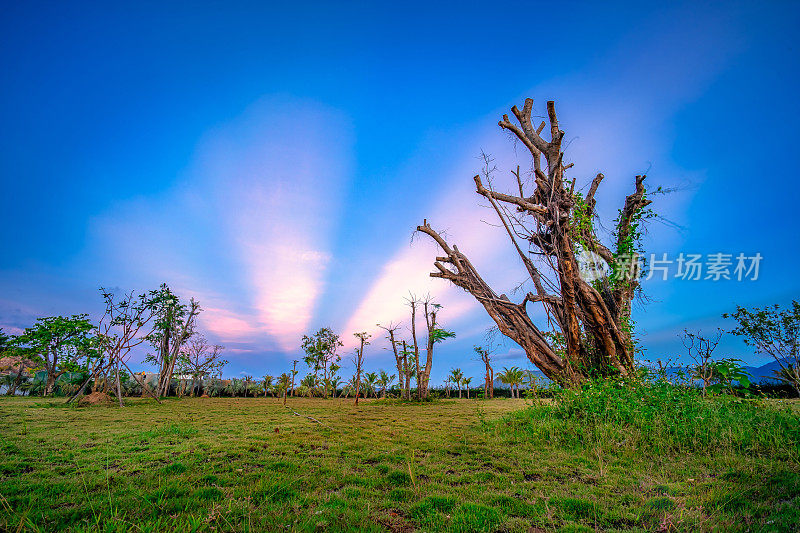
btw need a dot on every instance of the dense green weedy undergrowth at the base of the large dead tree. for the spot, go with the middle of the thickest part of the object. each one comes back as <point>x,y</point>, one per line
<point>660,418</point>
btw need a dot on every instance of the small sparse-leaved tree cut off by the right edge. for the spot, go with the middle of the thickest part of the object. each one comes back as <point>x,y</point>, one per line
<point>776,332</point>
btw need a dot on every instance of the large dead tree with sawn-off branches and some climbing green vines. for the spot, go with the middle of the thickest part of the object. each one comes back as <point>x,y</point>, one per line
<point>589,328</point>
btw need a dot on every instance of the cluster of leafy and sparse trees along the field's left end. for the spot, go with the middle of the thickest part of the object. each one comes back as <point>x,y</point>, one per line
<point>72,355</point>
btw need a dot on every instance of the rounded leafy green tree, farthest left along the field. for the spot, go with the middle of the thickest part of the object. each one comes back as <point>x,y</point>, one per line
<point>64,343</point>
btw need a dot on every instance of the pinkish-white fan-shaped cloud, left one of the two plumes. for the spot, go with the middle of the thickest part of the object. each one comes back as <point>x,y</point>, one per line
<point>252,218</point>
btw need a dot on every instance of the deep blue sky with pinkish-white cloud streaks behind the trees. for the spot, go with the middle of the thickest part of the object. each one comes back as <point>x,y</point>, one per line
<point>272,161</point>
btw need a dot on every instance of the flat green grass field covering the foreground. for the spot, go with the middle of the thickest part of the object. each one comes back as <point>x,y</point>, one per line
<point>210,464</point>
